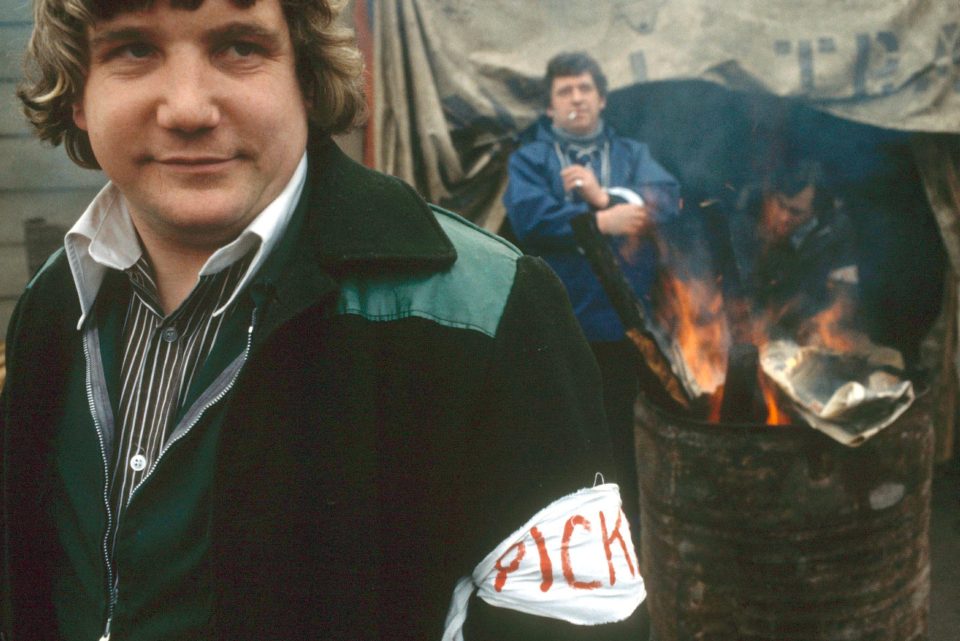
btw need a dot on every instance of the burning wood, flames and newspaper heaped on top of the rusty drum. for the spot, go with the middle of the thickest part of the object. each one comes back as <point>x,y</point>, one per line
<point>711,350</point>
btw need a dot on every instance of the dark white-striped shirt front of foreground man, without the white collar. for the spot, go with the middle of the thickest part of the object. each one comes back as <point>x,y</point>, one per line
<point>160,358</point>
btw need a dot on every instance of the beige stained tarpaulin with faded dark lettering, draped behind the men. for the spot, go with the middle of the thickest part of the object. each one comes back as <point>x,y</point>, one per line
<point>445,67</point>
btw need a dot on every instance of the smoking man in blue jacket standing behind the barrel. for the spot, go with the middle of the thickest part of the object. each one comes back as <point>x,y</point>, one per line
<point>575,165</point>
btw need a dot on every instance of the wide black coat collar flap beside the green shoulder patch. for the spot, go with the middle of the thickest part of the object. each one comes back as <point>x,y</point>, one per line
<point>350,221</point>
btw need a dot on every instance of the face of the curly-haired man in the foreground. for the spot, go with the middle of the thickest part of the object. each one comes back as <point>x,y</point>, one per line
<point>197,116</point>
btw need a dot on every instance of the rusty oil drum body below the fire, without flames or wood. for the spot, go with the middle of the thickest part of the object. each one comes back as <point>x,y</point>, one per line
<point>761,533</point>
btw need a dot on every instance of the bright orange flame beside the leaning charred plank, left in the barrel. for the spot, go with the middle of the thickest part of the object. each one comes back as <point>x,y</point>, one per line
<point>700,330</point>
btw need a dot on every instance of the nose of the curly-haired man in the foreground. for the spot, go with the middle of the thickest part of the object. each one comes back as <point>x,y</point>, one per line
<point>188,100</point>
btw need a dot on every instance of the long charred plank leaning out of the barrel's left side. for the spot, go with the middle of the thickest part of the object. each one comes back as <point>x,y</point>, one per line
<point>625,303</point>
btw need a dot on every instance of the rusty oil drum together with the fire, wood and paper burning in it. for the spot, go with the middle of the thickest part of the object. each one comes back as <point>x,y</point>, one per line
<point>814,530</point>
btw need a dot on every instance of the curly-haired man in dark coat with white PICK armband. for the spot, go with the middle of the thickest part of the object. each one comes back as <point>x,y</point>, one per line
<point>263,392</point>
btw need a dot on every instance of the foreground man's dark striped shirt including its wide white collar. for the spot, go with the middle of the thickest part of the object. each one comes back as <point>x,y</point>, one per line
<point>161,356</point>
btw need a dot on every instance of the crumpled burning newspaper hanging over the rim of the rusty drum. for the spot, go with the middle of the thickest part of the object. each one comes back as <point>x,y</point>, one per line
<point>849,396</point>
